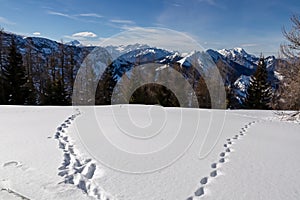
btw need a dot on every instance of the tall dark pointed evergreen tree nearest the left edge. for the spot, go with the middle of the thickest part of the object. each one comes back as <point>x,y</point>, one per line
<point>15,78</point>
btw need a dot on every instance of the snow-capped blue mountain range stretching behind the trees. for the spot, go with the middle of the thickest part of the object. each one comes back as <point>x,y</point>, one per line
<point>235,65</point>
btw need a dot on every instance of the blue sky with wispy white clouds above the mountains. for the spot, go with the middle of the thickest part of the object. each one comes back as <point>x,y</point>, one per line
<point>254,25</point>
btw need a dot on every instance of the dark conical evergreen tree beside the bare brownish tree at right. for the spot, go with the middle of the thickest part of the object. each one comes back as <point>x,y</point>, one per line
<point>259,91</point>
